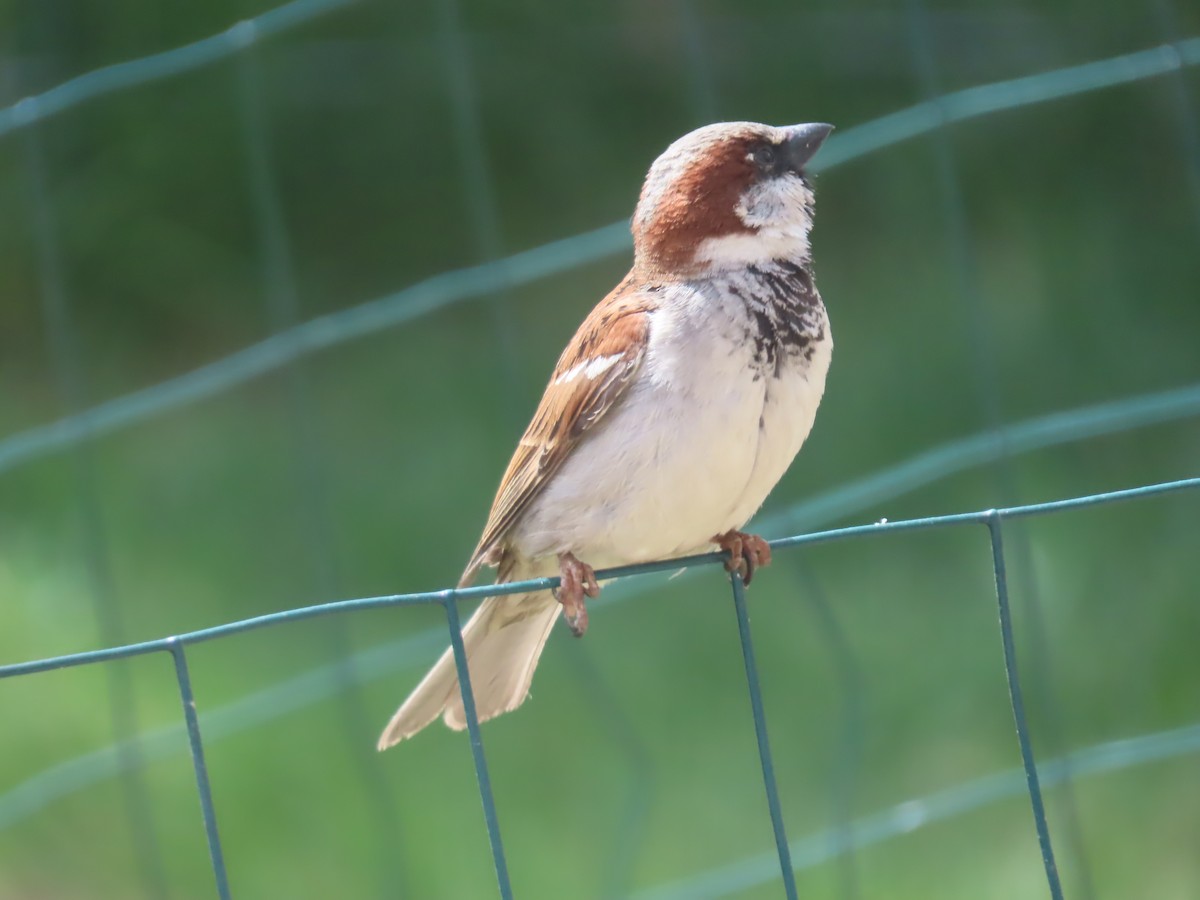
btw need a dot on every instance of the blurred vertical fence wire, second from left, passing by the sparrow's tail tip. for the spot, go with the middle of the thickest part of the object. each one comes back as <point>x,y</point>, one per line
<point>309,470</point>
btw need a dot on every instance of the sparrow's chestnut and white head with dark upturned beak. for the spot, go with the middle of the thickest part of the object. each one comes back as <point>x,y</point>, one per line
<point>728,196</point>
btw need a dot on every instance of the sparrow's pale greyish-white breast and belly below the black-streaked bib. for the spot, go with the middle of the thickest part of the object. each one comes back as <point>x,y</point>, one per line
<point>694,448</point>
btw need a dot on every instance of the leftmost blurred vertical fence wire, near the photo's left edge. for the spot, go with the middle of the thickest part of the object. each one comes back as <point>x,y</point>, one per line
<point>65,361</point>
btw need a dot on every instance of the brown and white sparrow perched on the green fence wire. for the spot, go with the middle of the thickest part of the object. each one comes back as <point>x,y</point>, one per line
<point>671,415</point>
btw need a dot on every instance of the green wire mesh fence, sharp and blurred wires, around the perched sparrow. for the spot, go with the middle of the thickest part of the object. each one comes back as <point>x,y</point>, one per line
<point>293,341</point>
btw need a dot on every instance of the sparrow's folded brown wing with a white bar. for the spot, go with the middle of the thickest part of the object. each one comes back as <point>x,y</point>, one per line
<point>591,377</point>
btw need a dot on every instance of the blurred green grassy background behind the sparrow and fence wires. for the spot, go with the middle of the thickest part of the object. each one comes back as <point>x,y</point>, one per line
<point>1018,265</point>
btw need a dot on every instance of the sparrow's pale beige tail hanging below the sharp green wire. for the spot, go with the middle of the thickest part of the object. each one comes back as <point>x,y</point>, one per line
<point>505,640</point>
